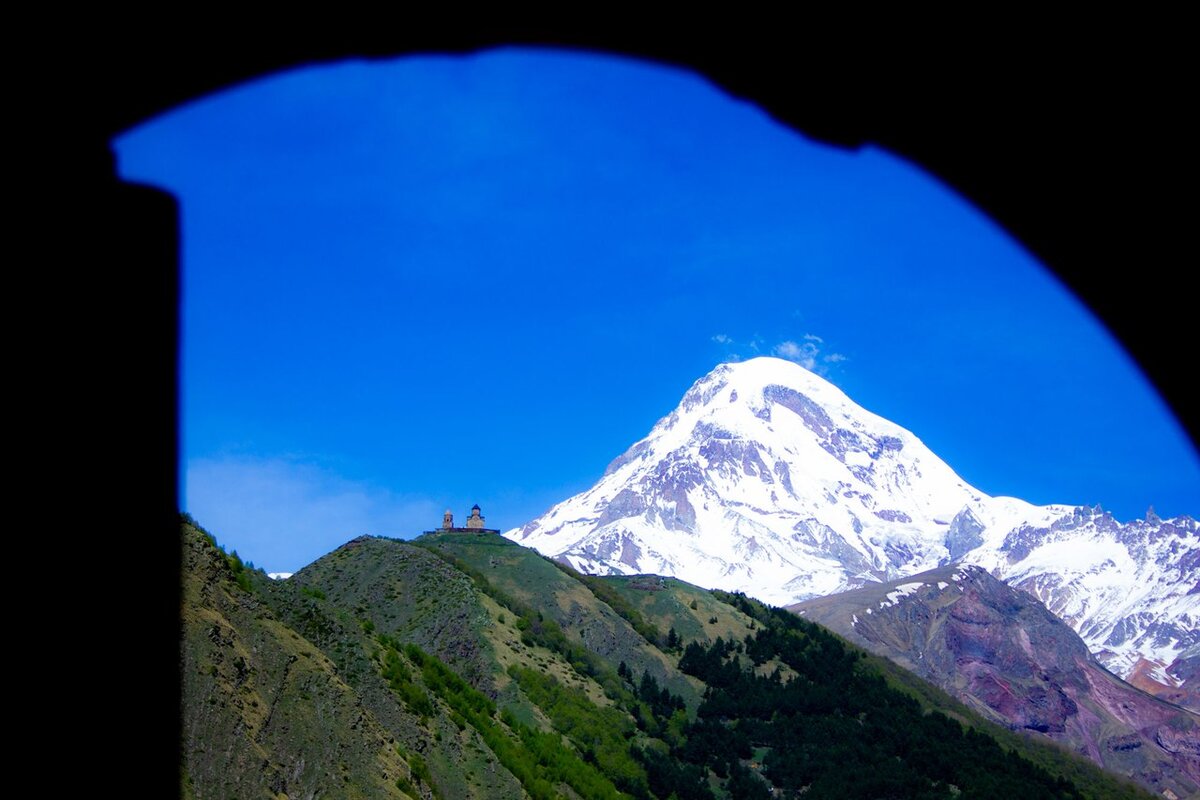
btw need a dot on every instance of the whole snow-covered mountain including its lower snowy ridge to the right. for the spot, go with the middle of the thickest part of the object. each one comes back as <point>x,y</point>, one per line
<point>770,480</point>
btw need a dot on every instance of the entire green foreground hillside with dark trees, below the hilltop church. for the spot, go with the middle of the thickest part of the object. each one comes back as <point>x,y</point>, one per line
<point>466,666</point>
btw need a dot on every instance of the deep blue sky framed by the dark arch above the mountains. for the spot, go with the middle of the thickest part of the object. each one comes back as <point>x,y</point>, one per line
<point>439,281</point>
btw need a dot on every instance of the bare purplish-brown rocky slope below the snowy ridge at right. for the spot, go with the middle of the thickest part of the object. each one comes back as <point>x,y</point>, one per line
<point>1004,654</point>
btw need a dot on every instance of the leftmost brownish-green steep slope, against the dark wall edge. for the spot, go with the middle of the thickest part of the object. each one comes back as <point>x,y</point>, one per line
<point>266,714</point>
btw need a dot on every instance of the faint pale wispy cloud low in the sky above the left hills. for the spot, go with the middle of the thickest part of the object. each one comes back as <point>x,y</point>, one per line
<point>285,514</point>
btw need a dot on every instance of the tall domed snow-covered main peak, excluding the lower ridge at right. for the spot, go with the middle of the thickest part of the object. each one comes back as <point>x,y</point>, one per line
<point>766,476</point>
